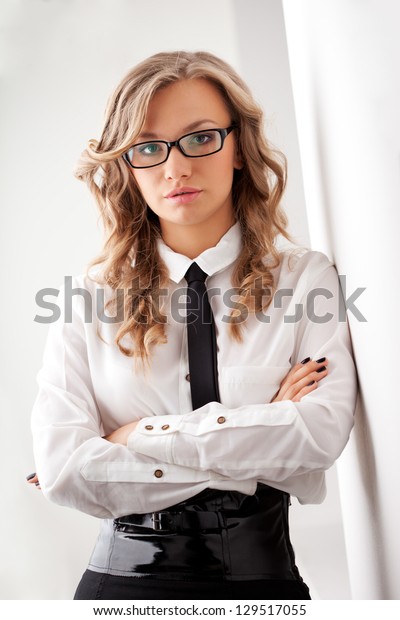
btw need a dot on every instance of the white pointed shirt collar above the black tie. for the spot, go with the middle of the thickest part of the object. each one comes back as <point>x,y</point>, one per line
<point>211,260</point>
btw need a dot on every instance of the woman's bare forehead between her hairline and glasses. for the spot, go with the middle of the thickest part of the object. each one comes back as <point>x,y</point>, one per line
<point>181,105</point>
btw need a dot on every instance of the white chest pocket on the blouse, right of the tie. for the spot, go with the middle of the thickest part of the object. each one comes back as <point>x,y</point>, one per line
<point>249,385</point>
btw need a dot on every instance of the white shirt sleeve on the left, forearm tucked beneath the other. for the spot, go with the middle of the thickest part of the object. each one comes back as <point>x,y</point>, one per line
<point>75,465</point>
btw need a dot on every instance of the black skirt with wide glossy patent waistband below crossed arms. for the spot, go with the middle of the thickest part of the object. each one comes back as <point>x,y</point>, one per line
<point>220,545</point>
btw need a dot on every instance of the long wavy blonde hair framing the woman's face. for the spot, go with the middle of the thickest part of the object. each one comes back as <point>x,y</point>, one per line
<point>130,259</point>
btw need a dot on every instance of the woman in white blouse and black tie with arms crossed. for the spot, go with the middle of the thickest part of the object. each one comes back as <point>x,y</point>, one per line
<point>188,448</point>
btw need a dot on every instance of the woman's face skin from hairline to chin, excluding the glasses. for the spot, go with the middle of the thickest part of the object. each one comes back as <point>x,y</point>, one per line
<point>206,211</point>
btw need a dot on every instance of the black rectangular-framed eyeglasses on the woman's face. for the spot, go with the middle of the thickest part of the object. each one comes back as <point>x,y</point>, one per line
<point>195,144</point>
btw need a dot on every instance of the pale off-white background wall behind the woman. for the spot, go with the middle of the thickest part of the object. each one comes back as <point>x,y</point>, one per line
<point>61,60</point>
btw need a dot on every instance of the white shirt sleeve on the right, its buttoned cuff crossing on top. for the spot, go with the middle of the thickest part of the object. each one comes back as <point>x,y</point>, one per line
<point>275,443</point>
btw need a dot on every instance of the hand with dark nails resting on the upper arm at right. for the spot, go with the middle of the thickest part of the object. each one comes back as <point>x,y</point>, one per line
<point>302,379</point>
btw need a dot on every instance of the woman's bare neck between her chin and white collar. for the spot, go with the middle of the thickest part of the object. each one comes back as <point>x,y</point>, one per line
<point>193,240</point>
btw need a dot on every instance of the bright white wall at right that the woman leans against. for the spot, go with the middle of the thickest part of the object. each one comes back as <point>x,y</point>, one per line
<point>345,64</point>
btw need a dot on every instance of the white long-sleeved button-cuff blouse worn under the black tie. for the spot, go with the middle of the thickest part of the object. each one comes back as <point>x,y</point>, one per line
<point>88,388</point>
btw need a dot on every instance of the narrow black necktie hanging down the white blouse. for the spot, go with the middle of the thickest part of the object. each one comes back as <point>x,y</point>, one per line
<point>202,344</point>
